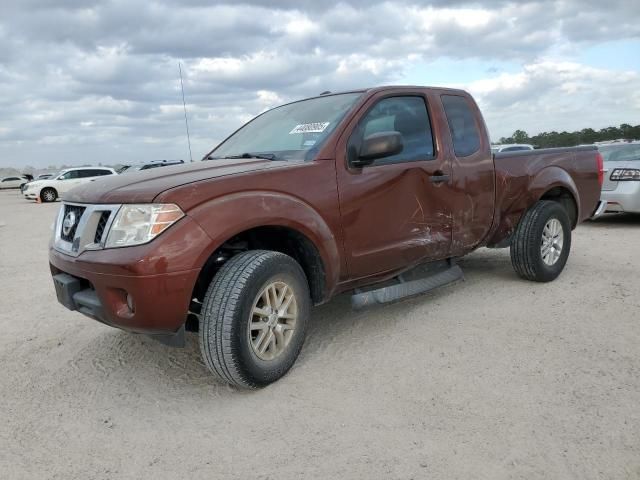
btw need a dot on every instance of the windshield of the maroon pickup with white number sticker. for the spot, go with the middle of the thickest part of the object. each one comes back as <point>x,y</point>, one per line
<point>291,132</point>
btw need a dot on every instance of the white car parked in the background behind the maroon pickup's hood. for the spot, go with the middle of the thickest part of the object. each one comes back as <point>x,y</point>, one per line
<point>52,188</point>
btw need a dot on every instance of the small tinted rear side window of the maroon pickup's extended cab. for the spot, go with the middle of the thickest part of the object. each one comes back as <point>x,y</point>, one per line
<point>462,125</point>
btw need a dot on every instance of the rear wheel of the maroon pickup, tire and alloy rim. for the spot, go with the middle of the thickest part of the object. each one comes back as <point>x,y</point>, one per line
<point>542,242</point>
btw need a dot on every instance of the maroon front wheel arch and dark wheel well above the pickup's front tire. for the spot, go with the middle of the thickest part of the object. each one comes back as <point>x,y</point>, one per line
<point>276,222</point>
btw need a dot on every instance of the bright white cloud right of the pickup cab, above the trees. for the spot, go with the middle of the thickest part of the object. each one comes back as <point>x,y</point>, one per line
<point>550,95</point>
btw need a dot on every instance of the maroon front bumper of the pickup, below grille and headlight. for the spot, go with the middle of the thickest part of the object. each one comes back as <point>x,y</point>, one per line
<point>142,289</point>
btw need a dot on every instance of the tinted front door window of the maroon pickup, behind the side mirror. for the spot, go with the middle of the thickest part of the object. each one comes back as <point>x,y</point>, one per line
<point>407,115</point>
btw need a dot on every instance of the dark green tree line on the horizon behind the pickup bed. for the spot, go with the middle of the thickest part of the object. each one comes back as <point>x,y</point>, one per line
<point>579,137</point>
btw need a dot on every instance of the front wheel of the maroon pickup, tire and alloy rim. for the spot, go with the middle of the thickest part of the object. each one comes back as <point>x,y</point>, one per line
<point>254,318</point>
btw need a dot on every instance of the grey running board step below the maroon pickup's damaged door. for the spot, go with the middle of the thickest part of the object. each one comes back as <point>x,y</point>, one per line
<point>404,289</point>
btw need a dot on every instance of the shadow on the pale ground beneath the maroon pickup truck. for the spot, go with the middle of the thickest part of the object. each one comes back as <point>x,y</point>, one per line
<point>125,359</point>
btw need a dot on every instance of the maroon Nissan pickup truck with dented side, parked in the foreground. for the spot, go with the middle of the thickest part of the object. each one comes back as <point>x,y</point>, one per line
<point>375,192</point>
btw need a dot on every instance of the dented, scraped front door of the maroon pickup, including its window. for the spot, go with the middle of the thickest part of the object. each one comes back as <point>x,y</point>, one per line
<point>394,211</point>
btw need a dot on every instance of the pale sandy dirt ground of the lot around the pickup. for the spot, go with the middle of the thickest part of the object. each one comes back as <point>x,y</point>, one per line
<point>491,378</point>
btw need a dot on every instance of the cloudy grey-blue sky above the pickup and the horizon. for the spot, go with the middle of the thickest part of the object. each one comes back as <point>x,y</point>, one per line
<point>91,81</point>
